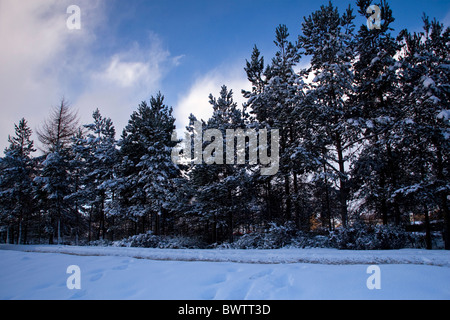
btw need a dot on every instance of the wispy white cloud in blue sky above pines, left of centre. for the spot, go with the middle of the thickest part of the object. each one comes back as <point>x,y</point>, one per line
<point>127,78</point>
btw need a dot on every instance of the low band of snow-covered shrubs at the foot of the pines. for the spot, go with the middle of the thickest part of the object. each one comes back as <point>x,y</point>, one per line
<point>359,236</point>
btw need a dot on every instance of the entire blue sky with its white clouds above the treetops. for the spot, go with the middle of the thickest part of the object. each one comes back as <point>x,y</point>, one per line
<point>127,51</point>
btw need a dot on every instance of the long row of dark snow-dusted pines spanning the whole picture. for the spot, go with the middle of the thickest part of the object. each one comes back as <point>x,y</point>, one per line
<point>364,137</point>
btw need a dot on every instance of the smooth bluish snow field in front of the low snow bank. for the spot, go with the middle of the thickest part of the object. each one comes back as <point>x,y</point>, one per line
<point>35,275</point>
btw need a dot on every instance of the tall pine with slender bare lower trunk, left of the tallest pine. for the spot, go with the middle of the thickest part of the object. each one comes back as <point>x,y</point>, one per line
<point>328,38</point>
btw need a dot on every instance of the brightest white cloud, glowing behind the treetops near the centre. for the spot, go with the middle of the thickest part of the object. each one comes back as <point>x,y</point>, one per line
<point>196,100</point>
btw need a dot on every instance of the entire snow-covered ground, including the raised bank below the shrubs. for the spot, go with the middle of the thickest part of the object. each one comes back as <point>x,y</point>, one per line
<point>39,272</point>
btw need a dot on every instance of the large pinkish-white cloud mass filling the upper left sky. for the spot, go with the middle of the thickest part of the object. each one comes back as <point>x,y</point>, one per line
<point>42,61</point>
